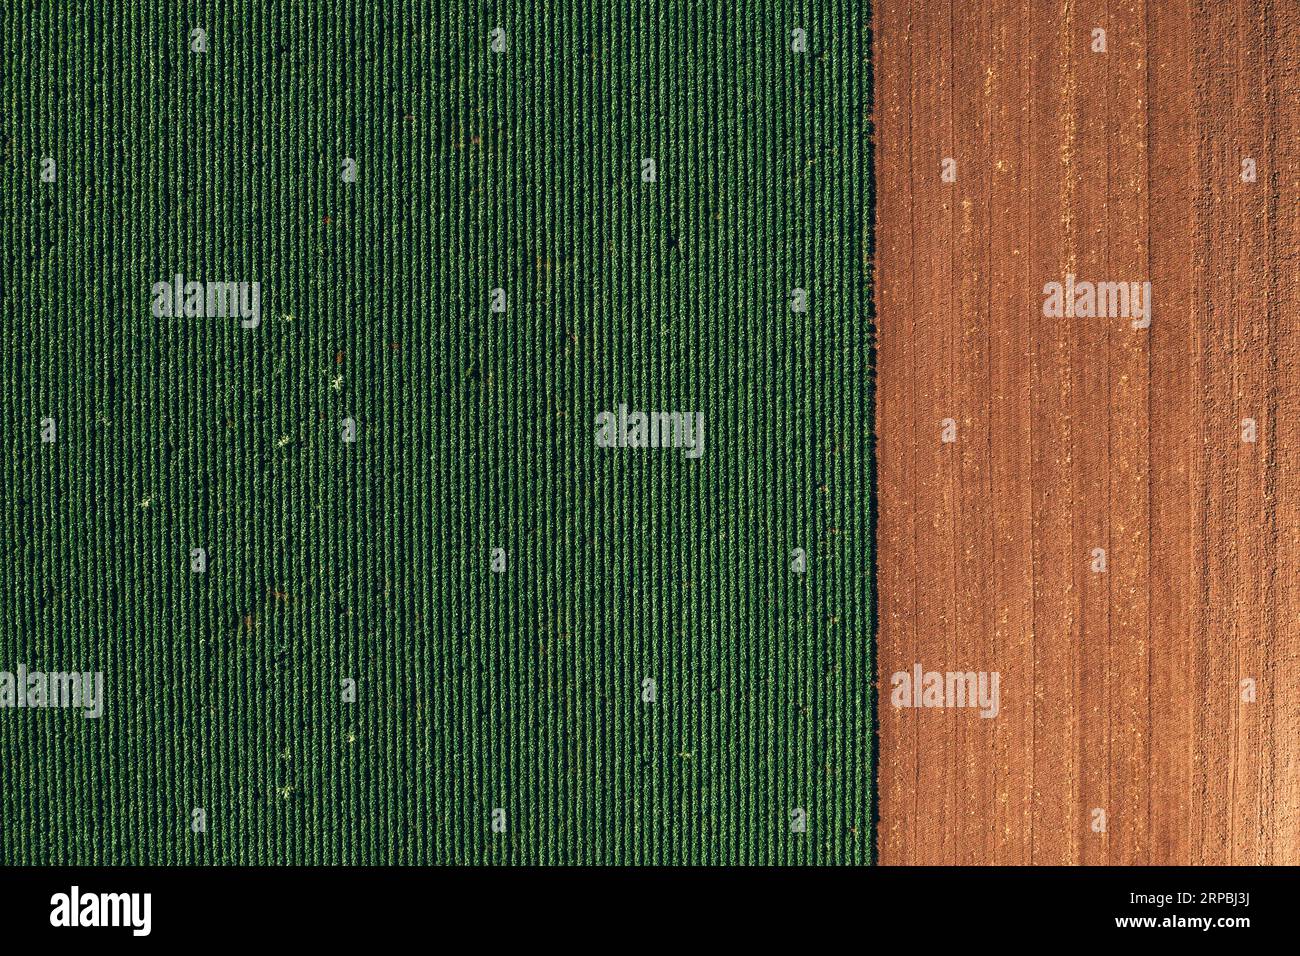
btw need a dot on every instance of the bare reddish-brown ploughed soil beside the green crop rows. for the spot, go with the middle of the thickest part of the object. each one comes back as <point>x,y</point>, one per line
<point>1120,691</point>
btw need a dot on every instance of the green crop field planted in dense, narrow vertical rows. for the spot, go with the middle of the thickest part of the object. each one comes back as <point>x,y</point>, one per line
<point>645,672</point>
